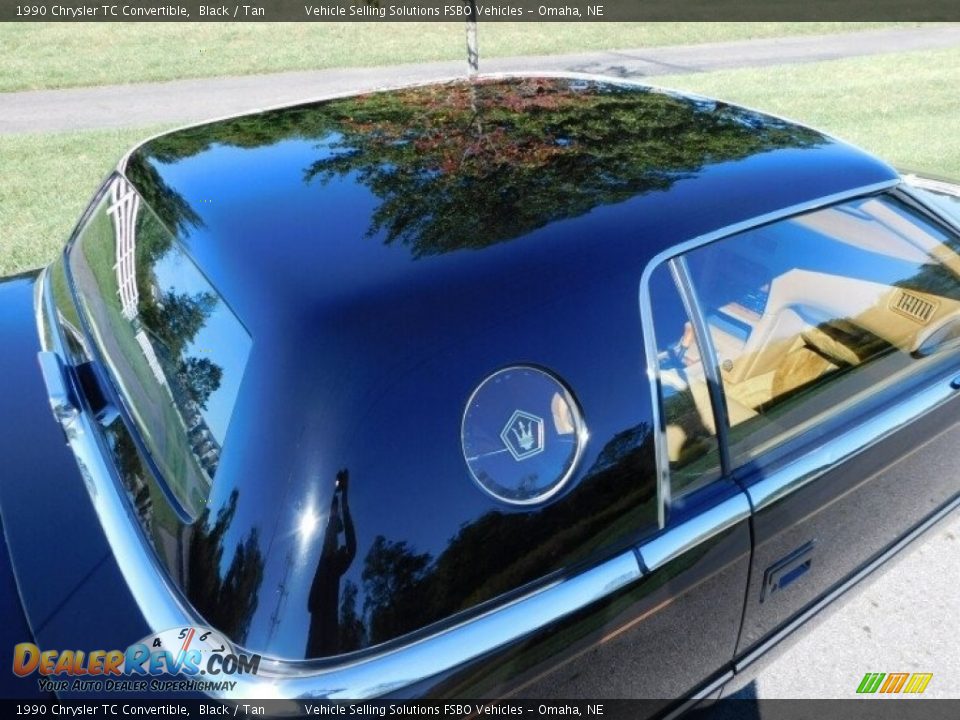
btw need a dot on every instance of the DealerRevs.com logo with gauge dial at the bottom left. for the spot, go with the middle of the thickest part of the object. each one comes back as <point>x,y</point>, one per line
<point>188,659</point>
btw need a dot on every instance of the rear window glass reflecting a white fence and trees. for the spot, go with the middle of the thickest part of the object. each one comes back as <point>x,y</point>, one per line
<point>173,347</point>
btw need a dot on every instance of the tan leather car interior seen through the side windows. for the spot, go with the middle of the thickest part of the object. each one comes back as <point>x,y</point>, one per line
<point>796,341</point>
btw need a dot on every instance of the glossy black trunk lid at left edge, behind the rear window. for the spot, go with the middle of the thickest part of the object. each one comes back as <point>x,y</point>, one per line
<point>70,588</point>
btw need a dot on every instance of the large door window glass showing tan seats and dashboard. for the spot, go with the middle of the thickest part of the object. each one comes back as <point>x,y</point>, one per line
<point>810,314</point>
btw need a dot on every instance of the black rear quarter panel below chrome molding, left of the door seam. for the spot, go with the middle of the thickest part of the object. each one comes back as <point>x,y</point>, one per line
<point>660,639</point>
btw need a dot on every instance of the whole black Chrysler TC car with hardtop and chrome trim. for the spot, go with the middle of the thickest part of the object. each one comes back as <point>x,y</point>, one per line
<point>504,387</point>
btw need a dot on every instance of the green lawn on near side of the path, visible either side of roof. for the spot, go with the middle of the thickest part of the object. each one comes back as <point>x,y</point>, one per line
<point>903,107</point>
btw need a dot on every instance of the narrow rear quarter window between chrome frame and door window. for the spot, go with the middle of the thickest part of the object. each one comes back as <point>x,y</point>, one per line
<point>686,413</point>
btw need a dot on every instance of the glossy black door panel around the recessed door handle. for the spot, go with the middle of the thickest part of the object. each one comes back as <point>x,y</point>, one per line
<point>855,511</point>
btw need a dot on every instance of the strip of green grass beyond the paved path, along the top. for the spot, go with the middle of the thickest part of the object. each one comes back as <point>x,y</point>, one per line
<point>54,55</point>
